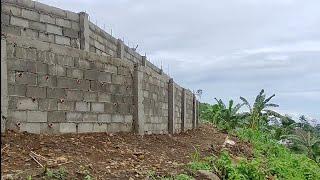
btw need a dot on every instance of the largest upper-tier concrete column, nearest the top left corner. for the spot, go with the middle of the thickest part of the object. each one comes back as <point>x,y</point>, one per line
<point>84,31</point>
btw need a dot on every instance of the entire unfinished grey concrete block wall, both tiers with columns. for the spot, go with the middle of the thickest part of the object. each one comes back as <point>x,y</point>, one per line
<point>60,73</point>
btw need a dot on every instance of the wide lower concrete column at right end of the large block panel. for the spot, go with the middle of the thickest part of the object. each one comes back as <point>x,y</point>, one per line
<point>138,114</point>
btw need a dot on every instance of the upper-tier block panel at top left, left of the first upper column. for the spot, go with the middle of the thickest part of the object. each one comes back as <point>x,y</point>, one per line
<point>40,21</point>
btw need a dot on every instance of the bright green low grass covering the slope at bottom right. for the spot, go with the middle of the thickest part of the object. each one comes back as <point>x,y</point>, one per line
<point>270,160</point>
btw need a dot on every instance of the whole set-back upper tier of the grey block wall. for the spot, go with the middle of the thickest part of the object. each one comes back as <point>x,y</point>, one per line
<point>50,24</point>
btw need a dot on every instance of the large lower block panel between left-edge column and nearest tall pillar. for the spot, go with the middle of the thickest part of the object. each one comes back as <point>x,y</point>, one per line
<point>54,89</point>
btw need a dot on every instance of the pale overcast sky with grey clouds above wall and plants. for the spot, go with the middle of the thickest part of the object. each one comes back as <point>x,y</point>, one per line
<point>228,48</point>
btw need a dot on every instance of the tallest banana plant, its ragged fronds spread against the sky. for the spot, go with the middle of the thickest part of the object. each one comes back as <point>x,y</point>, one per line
<point>259,112</point>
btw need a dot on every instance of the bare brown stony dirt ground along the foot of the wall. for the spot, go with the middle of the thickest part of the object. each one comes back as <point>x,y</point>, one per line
<point>109,156</point>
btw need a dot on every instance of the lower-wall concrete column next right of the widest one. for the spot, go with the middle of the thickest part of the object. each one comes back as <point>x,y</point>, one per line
<point>171,110</point>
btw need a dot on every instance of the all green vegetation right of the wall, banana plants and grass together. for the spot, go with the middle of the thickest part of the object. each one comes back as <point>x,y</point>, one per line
<point>282,147</point>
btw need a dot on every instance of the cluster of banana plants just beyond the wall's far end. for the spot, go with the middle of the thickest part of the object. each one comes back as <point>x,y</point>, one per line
<point>258,115</point>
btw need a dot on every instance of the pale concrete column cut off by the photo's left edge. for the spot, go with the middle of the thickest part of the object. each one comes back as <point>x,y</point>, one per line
<point>4,85</point>
